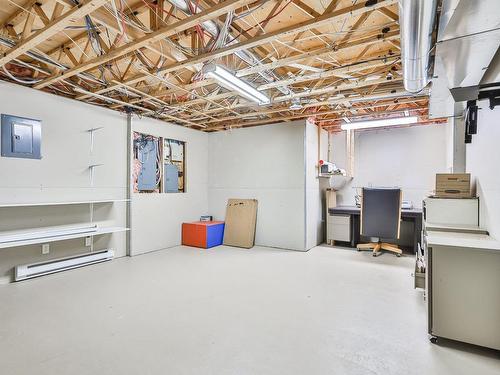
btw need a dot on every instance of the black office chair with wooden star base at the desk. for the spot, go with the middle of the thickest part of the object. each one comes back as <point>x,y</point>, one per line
<point>380,218</point>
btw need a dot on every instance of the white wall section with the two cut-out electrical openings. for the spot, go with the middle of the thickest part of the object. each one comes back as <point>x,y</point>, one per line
<point>157,218</point>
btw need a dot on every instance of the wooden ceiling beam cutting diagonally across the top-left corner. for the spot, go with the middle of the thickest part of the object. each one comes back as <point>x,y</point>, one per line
<point>52,28</point>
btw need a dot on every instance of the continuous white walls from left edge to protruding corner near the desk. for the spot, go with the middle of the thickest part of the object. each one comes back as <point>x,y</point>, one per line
<point>266,163</point>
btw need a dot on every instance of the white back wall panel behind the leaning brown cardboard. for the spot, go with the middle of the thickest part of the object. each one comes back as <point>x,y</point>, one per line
<point>265,163</point>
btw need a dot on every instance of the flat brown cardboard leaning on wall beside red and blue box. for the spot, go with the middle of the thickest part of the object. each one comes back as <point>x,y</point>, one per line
<point>241,219</point>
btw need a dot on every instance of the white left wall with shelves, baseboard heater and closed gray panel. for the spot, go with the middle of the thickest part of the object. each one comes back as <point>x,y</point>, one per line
<point>62,174</point>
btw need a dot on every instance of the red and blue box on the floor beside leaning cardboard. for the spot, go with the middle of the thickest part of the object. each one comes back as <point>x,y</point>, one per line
<point>204,234</point>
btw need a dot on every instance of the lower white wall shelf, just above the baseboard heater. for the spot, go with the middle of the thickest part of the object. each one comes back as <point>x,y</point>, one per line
<point>52,235</point>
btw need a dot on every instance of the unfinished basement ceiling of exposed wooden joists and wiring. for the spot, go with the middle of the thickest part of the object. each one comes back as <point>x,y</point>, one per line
<point>322,60</point>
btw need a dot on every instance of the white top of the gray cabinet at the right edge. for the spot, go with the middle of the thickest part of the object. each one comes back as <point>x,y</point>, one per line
<point>468,240</point>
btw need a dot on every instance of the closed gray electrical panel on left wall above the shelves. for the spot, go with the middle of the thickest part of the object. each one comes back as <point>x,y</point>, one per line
<point>21,137</point>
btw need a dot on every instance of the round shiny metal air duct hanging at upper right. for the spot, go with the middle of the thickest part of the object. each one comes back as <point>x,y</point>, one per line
<point>416,19</point>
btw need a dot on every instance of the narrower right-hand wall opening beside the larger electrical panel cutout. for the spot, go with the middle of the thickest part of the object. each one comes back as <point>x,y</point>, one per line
<point>174,166</point>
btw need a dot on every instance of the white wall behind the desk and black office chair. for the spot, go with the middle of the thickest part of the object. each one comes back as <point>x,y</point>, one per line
<point>406,157</point>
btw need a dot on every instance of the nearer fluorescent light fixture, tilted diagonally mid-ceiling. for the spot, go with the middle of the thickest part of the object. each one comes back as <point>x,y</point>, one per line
<point>233,83</point>
